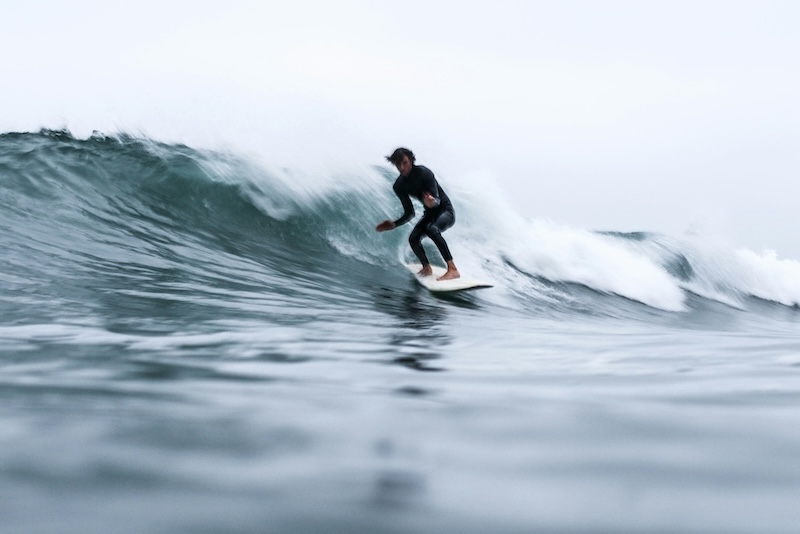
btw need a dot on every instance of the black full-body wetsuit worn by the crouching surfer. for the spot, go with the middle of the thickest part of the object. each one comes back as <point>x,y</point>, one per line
<point>434,220</point>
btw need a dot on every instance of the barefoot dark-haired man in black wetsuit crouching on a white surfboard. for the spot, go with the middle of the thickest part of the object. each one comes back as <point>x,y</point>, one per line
<point>419,182</point>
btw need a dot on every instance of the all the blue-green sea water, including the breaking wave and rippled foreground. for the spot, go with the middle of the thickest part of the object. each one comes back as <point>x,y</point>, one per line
<point>194,342</point>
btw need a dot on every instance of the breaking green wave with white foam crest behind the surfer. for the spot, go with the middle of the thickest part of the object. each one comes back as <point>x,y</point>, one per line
<point>134,222</point>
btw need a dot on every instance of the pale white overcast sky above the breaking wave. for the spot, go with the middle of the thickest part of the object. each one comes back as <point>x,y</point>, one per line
<point>615,115</point>
